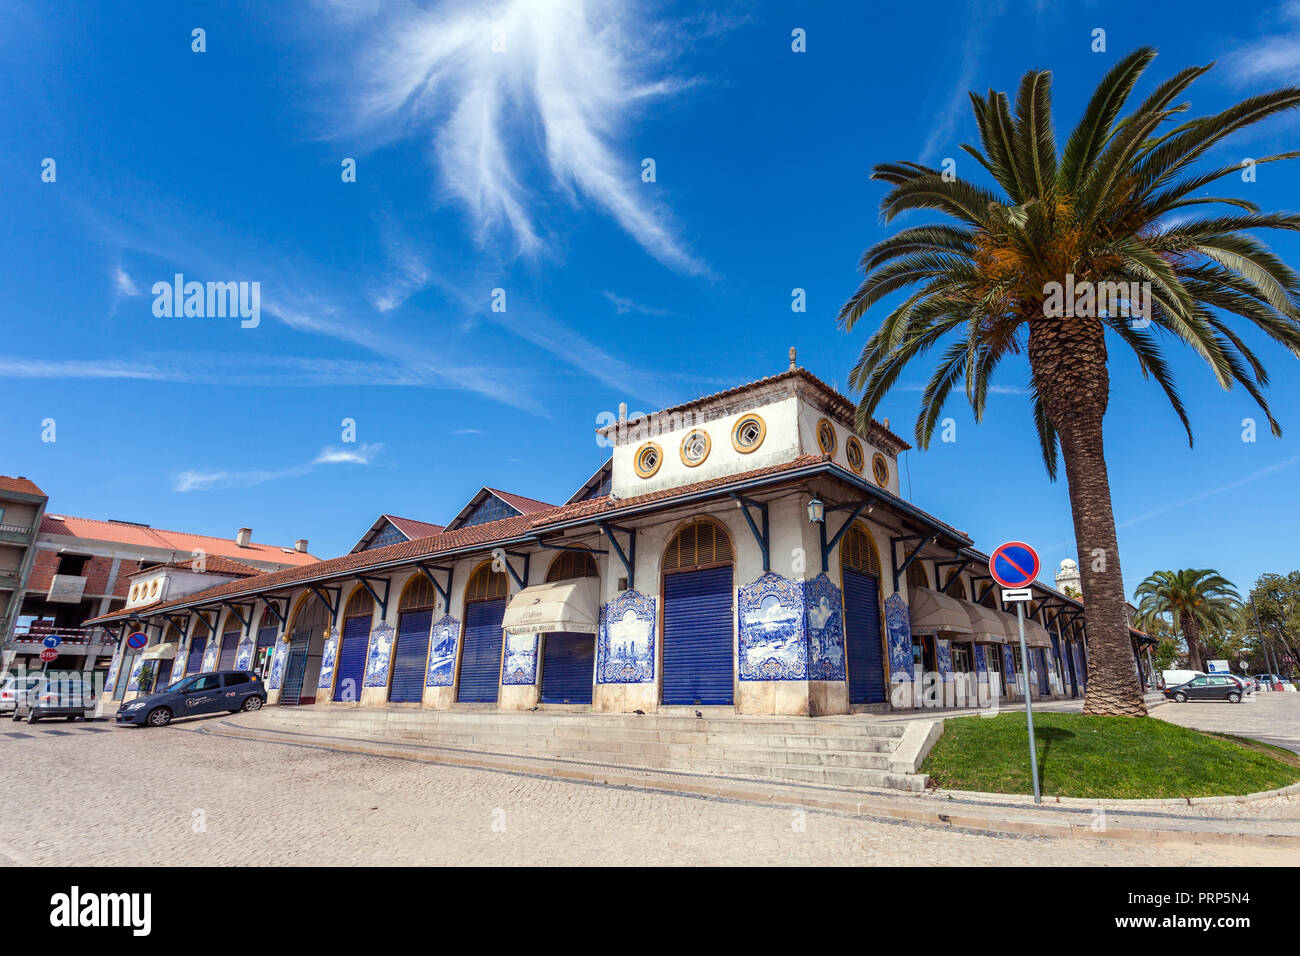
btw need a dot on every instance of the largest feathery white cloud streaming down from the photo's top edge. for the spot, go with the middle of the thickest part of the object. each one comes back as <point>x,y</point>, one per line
<point>513,88</point>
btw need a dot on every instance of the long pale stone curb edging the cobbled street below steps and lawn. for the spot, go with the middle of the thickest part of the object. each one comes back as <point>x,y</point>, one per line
<point>759,794</point>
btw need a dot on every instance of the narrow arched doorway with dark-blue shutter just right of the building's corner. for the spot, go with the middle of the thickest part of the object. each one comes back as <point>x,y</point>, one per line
<point>860,568</point>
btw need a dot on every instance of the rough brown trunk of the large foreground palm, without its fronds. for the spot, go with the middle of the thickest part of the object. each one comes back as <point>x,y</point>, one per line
<point>1113,686</point>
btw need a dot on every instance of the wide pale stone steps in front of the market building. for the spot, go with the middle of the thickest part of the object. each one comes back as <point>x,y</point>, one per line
<point>850,752</point>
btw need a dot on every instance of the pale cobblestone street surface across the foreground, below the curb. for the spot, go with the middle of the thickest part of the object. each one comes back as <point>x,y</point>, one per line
<point>93,794</point>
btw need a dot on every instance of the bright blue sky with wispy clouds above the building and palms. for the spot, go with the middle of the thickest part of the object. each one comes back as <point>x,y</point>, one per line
<point>522,170</point>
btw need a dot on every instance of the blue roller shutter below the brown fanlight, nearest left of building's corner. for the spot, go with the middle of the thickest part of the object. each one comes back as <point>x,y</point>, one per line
<point>699,638</point>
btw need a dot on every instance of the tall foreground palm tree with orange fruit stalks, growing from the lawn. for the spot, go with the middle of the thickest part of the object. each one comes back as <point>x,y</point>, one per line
<point>1112,209</point>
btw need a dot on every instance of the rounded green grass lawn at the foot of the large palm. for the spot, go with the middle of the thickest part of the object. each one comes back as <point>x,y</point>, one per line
<point>1119,758</point>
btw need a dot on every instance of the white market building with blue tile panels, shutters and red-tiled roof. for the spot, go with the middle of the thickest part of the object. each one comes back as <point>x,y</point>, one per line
<point>749,551</point>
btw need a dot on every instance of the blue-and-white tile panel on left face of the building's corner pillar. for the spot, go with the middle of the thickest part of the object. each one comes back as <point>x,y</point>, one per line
<point>773,642</point>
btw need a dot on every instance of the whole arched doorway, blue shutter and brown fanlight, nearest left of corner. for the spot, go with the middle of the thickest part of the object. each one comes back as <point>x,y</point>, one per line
<point>699,616</point>
